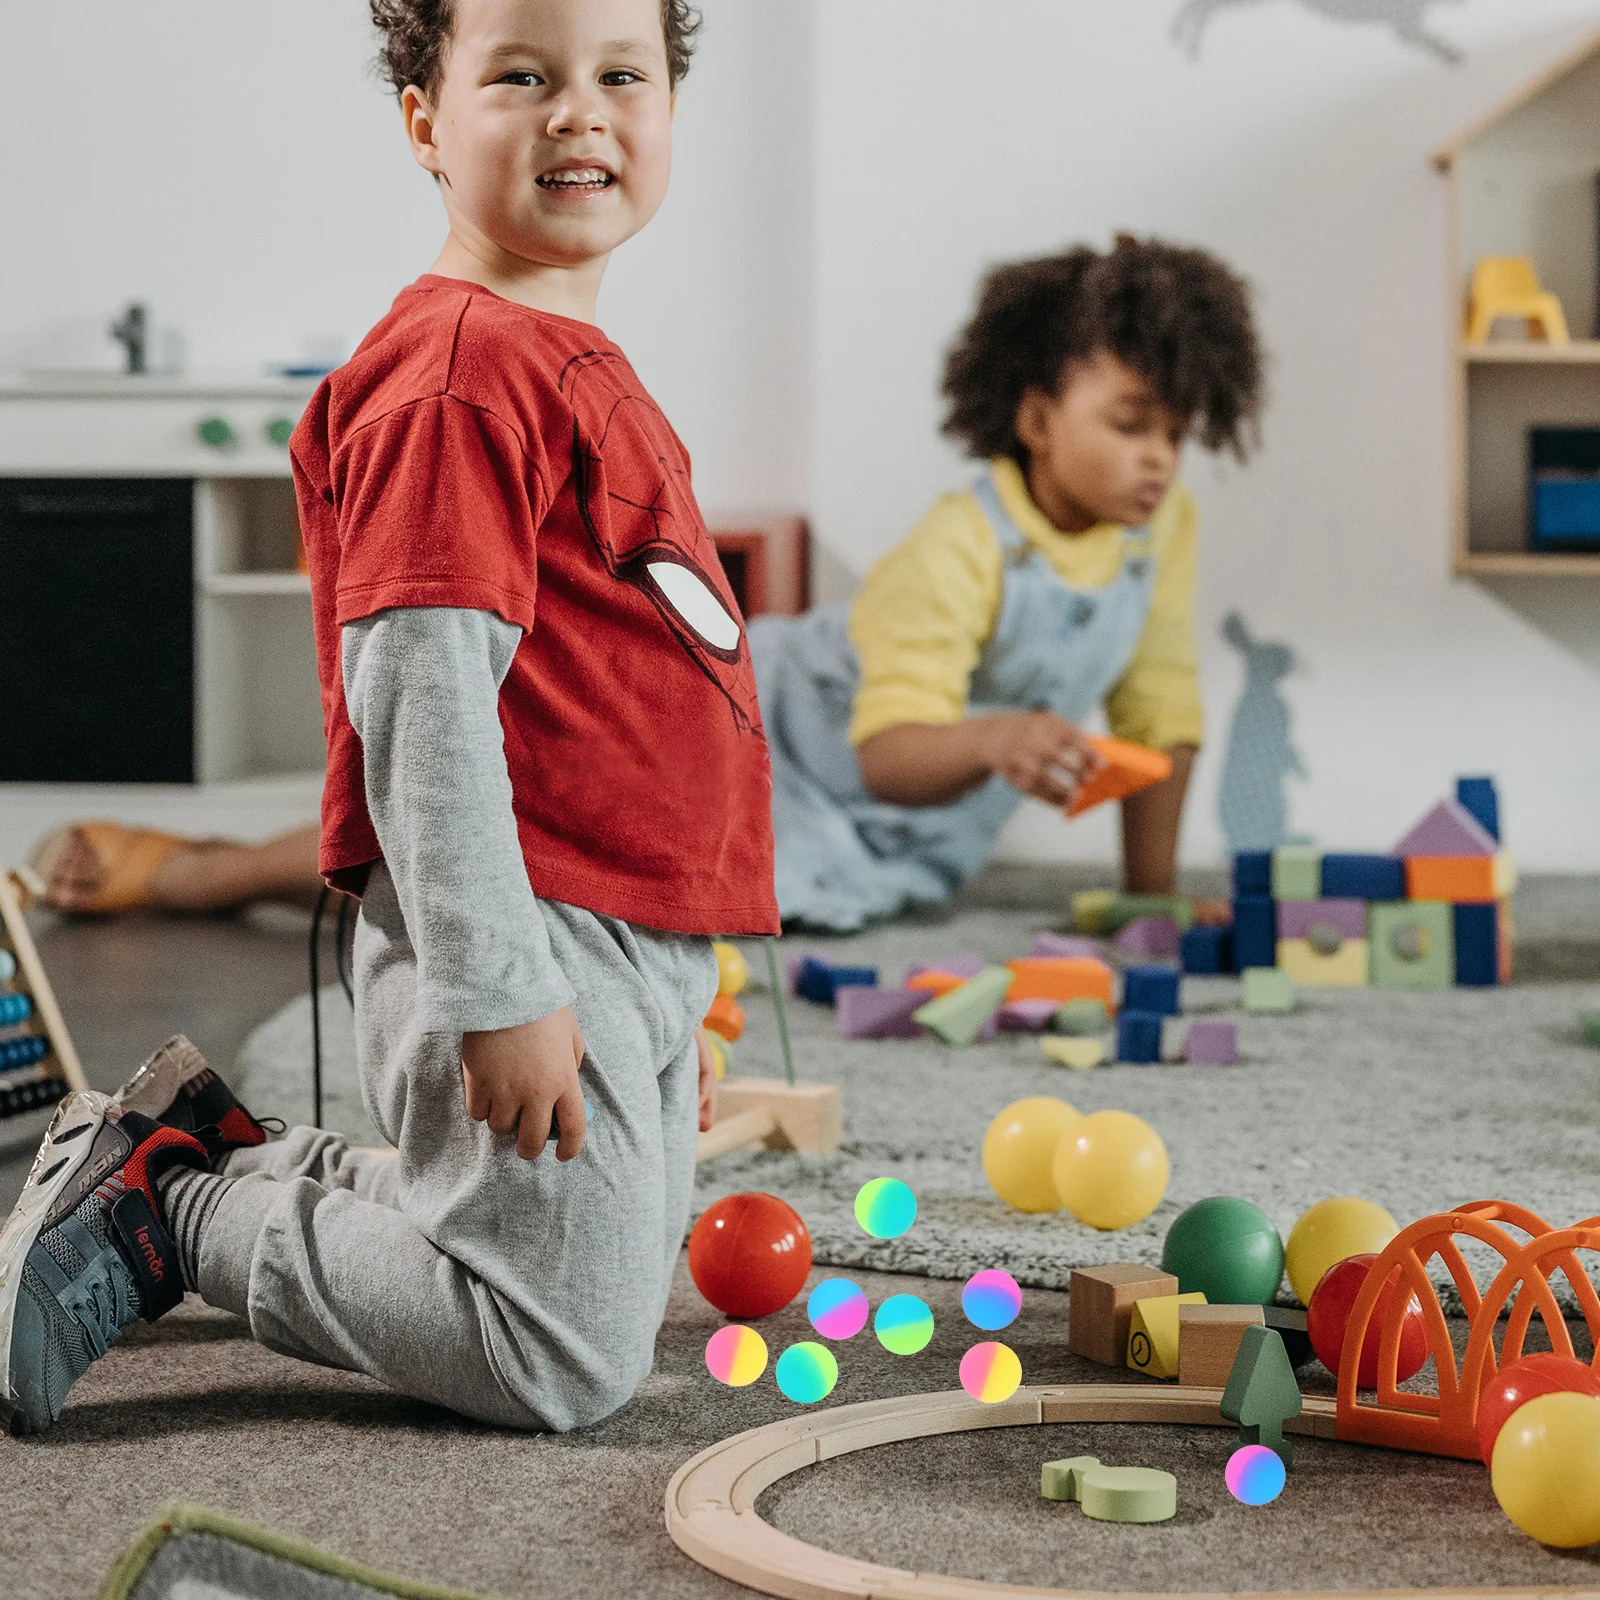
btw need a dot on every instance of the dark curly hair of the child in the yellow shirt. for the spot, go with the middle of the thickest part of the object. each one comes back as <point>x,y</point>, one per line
<point>1178,318</point>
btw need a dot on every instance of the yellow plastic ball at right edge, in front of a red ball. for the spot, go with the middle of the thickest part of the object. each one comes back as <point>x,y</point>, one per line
<point>1546,1470</point>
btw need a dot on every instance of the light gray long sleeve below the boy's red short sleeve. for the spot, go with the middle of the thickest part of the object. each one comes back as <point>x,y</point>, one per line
<point>423,694</point>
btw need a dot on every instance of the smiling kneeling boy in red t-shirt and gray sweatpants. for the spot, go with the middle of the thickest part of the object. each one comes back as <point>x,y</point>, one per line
<point>546,780</point>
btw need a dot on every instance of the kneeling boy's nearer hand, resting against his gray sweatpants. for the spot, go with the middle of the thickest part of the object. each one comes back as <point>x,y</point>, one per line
<point>518,1078</point>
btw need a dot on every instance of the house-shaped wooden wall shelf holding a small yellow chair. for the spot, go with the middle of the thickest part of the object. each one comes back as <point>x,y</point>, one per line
<point>1524,183</point>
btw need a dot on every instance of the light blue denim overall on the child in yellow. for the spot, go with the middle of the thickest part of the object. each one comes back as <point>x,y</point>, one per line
<point>846,858</point>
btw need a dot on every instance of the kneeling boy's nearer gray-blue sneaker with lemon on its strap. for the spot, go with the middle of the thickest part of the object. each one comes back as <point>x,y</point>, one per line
<point>86,1252</point>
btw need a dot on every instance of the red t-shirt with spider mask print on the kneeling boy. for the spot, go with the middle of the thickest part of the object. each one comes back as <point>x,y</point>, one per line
<point>478,454</point>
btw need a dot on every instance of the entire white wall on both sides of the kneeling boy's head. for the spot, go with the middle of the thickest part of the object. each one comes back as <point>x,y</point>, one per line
<point>846,172</point>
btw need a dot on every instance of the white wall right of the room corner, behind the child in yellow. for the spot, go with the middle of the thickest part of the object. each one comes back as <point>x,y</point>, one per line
<point>954,135</point>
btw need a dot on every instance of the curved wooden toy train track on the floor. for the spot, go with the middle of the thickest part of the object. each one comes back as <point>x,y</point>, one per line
<point>711,1500</point>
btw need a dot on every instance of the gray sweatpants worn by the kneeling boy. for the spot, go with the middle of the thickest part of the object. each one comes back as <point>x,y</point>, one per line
<point>524,1294</point>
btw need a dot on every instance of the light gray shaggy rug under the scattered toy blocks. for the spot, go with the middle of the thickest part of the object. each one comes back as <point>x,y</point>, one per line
<point>1415,1100</point>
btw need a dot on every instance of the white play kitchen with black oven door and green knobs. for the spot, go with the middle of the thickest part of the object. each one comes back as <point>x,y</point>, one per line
<point>158,617</point>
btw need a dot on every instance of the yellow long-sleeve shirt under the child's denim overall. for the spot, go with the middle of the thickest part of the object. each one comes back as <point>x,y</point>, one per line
<point>930,606</point>
